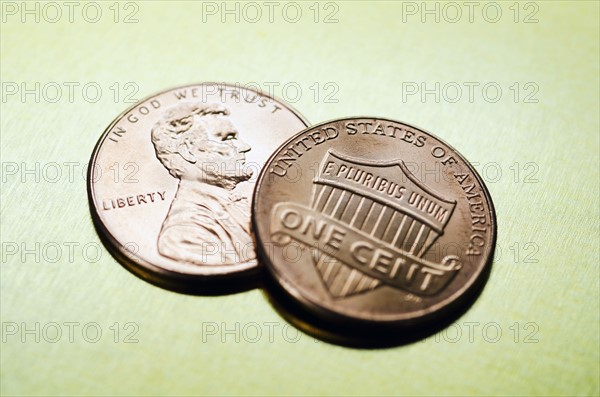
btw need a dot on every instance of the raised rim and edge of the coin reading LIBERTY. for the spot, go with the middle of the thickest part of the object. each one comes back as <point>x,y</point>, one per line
<point>206,276</point>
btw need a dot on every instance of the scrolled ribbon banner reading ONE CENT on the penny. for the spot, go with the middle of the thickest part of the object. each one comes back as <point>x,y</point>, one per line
<point>376,258</point>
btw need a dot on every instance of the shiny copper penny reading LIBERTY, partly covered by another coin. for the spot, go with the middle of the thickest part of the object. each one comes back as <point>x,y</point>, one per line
<point>171,179</point>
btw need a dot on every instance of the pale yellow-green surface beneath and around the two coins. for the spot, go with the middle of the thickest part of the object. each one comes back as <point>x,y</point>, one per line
<point>538,153</point>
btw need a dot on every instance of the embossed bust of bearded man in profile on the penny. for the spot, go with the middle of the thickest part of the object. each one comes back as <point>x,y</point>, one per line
<point>208,223</point>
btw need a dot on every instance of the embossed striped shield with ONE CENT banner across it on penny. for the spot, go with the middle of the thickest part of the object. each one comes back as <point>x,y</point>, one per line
<point>386,221</point>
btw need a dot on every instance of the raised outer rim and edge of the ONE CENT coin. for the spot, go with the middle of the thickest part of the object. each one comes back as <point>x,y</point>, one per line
<point>325,311</point>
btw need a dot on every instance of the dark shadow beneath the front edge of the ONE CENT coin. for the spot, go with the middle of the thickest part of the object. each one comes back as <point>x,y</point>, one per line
<point>363,335</point>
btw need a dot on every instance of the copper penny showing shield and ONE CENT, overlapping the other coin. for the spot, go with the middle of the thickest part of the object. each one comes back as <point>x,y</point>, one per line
<point>369,220</point>
